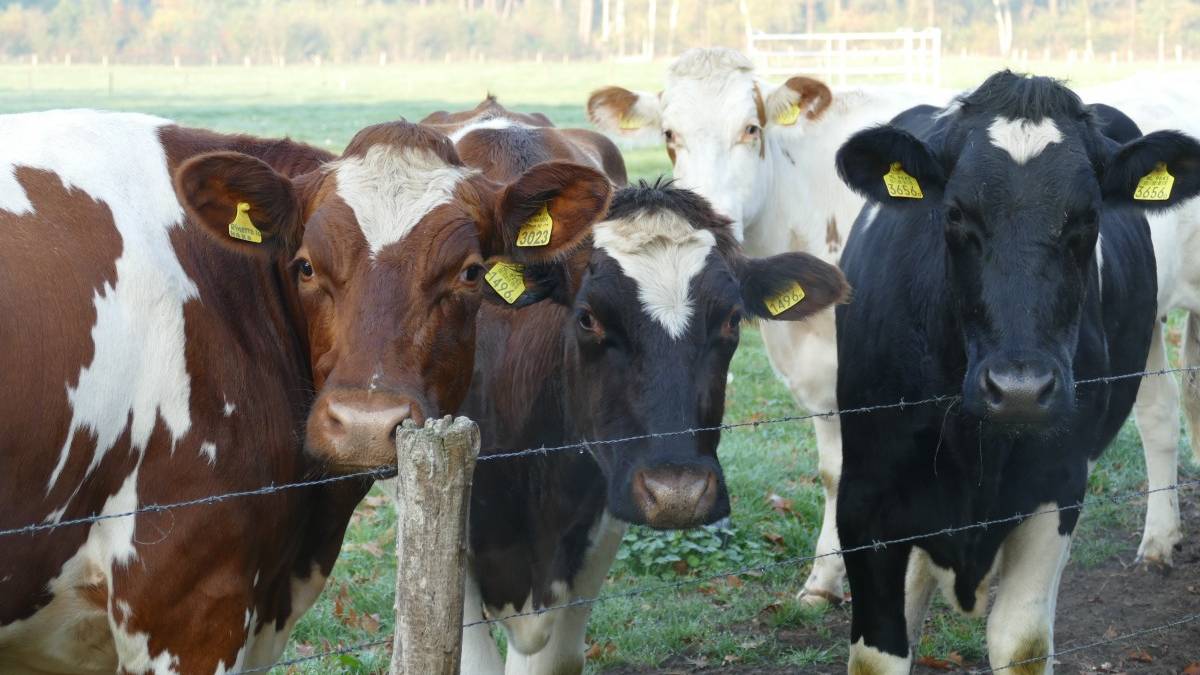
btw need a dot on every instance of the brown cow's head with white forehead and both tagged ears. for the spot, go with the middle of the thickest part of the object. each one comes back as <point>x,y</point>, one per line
<point>382,253</point>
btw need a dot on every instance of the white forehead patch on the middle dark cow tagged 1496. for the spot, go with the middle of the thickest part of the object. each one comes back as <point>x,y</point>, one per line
<point>662,253</point>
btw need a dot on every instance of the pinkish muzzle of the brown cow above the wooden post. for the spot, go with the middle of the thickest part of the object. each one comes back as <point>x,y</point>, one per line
<point>351,431</point>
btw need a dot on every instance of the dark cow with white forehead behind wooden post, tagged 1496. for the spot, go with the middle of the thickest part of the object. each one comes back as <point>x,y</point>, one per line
<point>637,341</point>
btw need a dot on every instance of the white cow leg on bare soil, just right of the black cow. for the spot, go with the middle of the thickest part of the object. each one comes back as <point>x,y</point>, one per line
<point>1157,416</point>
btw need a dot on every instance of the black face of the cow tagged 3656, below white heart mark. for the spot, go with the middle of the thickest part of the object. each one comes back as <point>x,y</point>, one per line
<point>1022,246</point>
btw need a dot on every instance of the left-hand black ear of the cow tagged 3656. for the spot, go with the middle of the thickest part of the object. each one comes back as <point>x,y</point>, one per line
<point>891,166</point>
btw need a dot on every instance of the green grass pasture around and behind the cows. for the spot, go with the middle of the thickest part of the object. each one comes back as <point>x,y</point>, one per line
<point>745,624</point>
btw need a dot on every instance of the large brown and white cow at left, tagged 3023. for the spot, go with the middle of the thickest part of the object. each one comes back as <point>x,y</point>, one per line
<point>149,357</point>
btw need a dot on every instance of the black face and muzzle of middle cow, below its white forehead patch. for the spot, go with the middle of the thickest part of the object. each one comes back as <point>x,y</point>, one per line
<point>628,377</point>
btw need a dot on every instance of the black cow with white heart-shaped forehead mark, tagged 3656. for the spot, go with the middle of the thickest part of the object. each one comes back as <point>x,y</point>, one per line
<point>1024,267</point>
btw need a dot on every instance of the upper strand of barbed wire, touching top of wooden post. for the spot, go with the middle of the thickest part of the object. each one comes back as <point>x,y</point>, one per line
<point>584,445</point>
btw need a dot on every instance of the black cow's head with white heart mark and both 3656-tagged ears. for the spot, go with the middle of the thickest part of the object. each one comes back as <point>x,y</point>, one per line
<point>1019,178</point>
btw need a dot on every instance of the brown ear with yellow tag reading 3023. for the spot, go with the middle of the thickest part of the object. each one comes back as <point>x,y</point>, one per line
<point>548,212</point>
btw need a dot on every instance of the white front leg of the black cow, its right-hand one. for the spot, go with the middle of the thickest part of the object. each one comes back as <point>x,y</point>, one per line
<point>1021,628</point>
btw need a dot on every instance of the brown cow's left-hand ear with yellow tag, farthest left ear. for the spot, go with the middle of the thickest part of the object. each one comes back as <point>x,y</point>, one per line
<point>241,201</point>
